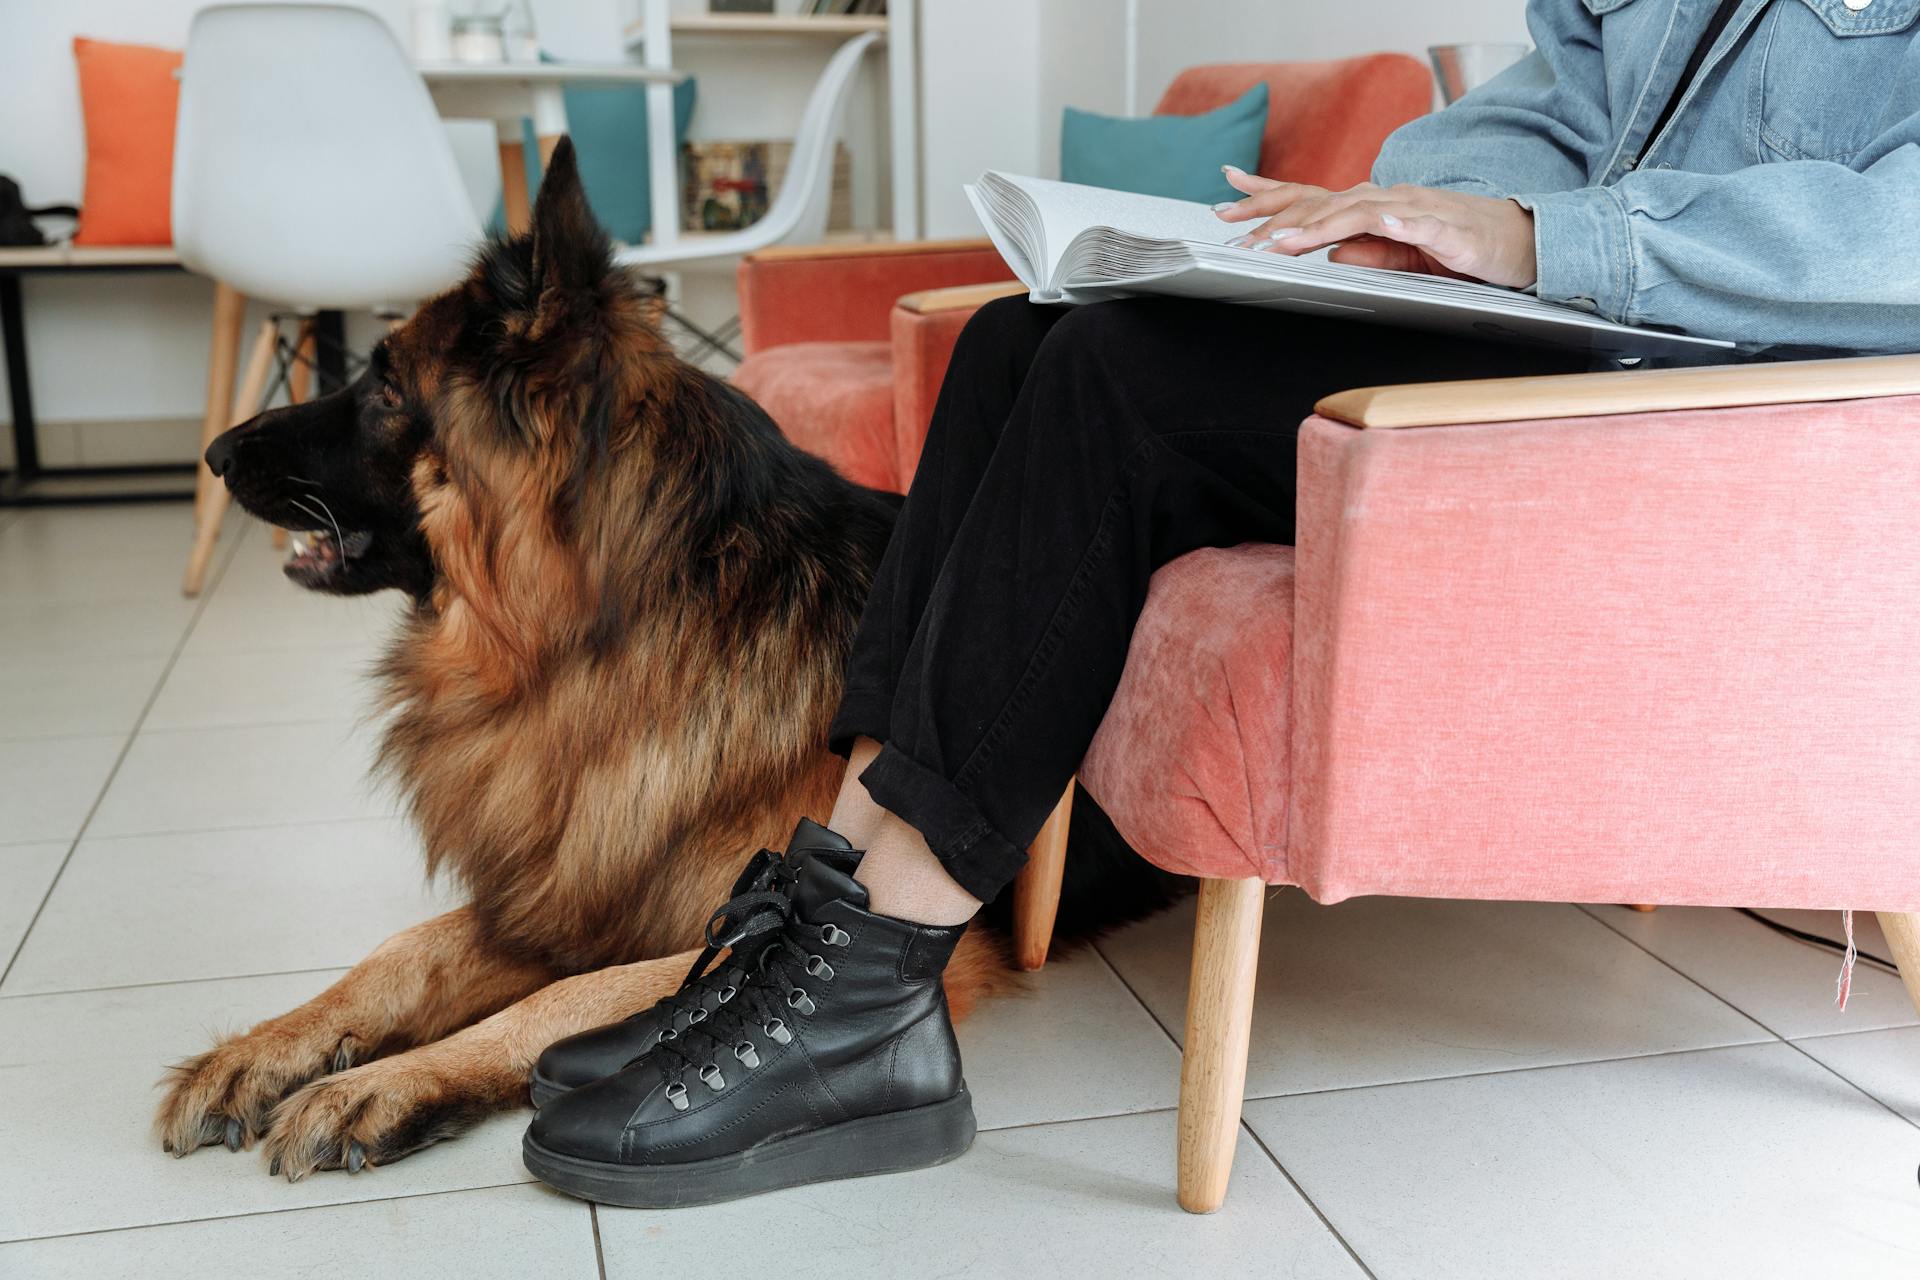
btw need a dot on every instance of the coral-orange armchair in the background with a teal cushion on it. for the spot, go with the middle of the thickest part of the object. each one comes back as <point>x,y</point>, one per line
<point>848,344</point>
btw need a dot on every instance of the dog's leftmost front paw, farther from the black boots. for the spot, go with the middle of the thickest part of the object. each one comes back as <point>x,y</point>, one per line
<point>228,1095</point>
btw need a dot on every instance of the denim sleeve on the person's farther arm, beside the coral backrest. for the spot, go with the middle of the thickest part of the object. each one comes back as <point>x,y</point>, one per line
<point>1539,126</point>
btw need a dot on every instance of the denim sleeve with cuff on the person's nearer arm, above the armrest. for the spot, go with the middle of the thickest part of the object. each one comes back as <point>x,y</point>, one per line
<point>1802,252</point>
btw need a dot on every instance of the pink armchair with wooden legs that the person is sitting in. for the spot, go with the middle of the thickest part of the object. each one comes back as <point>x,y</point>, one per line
<point>1614,638</point>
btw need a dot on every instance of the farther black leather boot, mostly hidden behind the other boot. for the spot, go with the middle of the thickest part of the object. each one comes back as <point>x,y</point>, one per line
<point>750,920</point>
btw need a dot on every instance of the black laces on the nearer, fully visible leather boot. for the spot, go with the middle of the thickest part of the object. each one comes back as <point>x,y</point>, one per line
<point>773,993</point>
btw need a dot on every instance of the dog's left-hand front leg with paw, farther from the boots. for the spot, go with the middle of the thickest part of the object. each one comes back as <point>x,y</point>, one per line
<point>414,987</point>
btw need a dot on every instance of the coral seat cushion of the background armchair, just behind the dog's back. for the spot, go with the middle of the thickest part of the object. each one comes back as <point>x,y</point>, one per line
<point>832,400</point>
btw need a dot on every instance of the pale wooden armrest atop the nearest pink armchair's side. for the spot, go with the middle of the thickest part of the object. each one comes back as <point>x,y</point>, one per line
<point>1654,391</point>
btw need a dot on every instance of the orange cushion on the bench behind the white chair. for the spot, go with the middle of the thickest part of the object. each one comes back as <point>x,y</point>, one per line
<point>130,101</point>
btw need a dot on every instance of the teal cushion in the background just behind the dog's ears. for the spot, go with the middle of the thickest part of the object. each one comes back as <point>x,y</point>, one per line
<point>610,131</point>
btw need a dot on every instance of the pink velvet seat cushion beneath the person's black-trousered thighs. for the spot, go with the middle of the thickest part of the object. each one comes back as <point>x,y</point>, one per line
<point>1191,761</point>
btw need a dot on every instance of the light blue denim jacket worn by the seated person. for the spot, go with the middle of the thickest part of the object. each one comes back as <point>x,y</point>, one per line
<point>1779,208</point>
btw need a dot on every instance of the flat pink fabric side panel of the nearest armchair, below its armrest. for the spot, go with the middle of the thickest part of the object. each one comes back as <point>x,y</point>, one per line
<point>1621,659</point>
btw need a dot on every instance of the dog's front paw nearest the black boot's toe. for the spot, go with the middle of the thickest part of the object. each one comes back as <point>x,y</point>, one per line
<point>373,1116</point>
